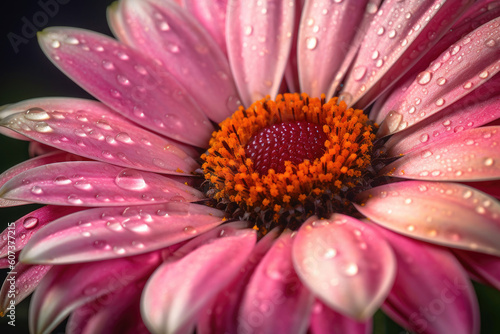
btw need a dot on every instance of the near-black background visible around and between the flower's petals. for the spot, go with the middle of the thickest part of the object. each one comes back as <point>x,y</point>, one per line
<point>26,73</point>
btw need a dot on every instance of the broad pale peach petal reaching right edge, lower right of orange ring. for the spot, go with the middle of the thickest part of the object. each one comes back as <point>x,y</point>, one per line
<point>435,212</point>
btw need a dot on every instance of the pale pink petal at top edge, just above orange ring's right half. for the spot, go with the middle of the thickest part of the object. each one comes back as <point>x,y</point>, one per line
<point>327,29</point>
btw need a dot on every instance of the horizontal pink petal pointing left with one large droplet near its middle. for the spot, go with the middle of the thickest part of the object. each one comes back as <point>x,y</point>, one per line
<point>89,183</point>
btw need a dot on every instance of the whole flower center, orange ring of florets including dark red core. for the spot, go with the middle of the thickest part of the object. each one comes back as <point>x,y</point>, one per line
<point>280,161</point>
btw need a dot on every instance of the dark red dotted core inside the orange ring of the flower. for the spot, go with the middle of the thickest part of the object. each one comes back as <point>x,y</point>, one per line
<point>293,141</point>
